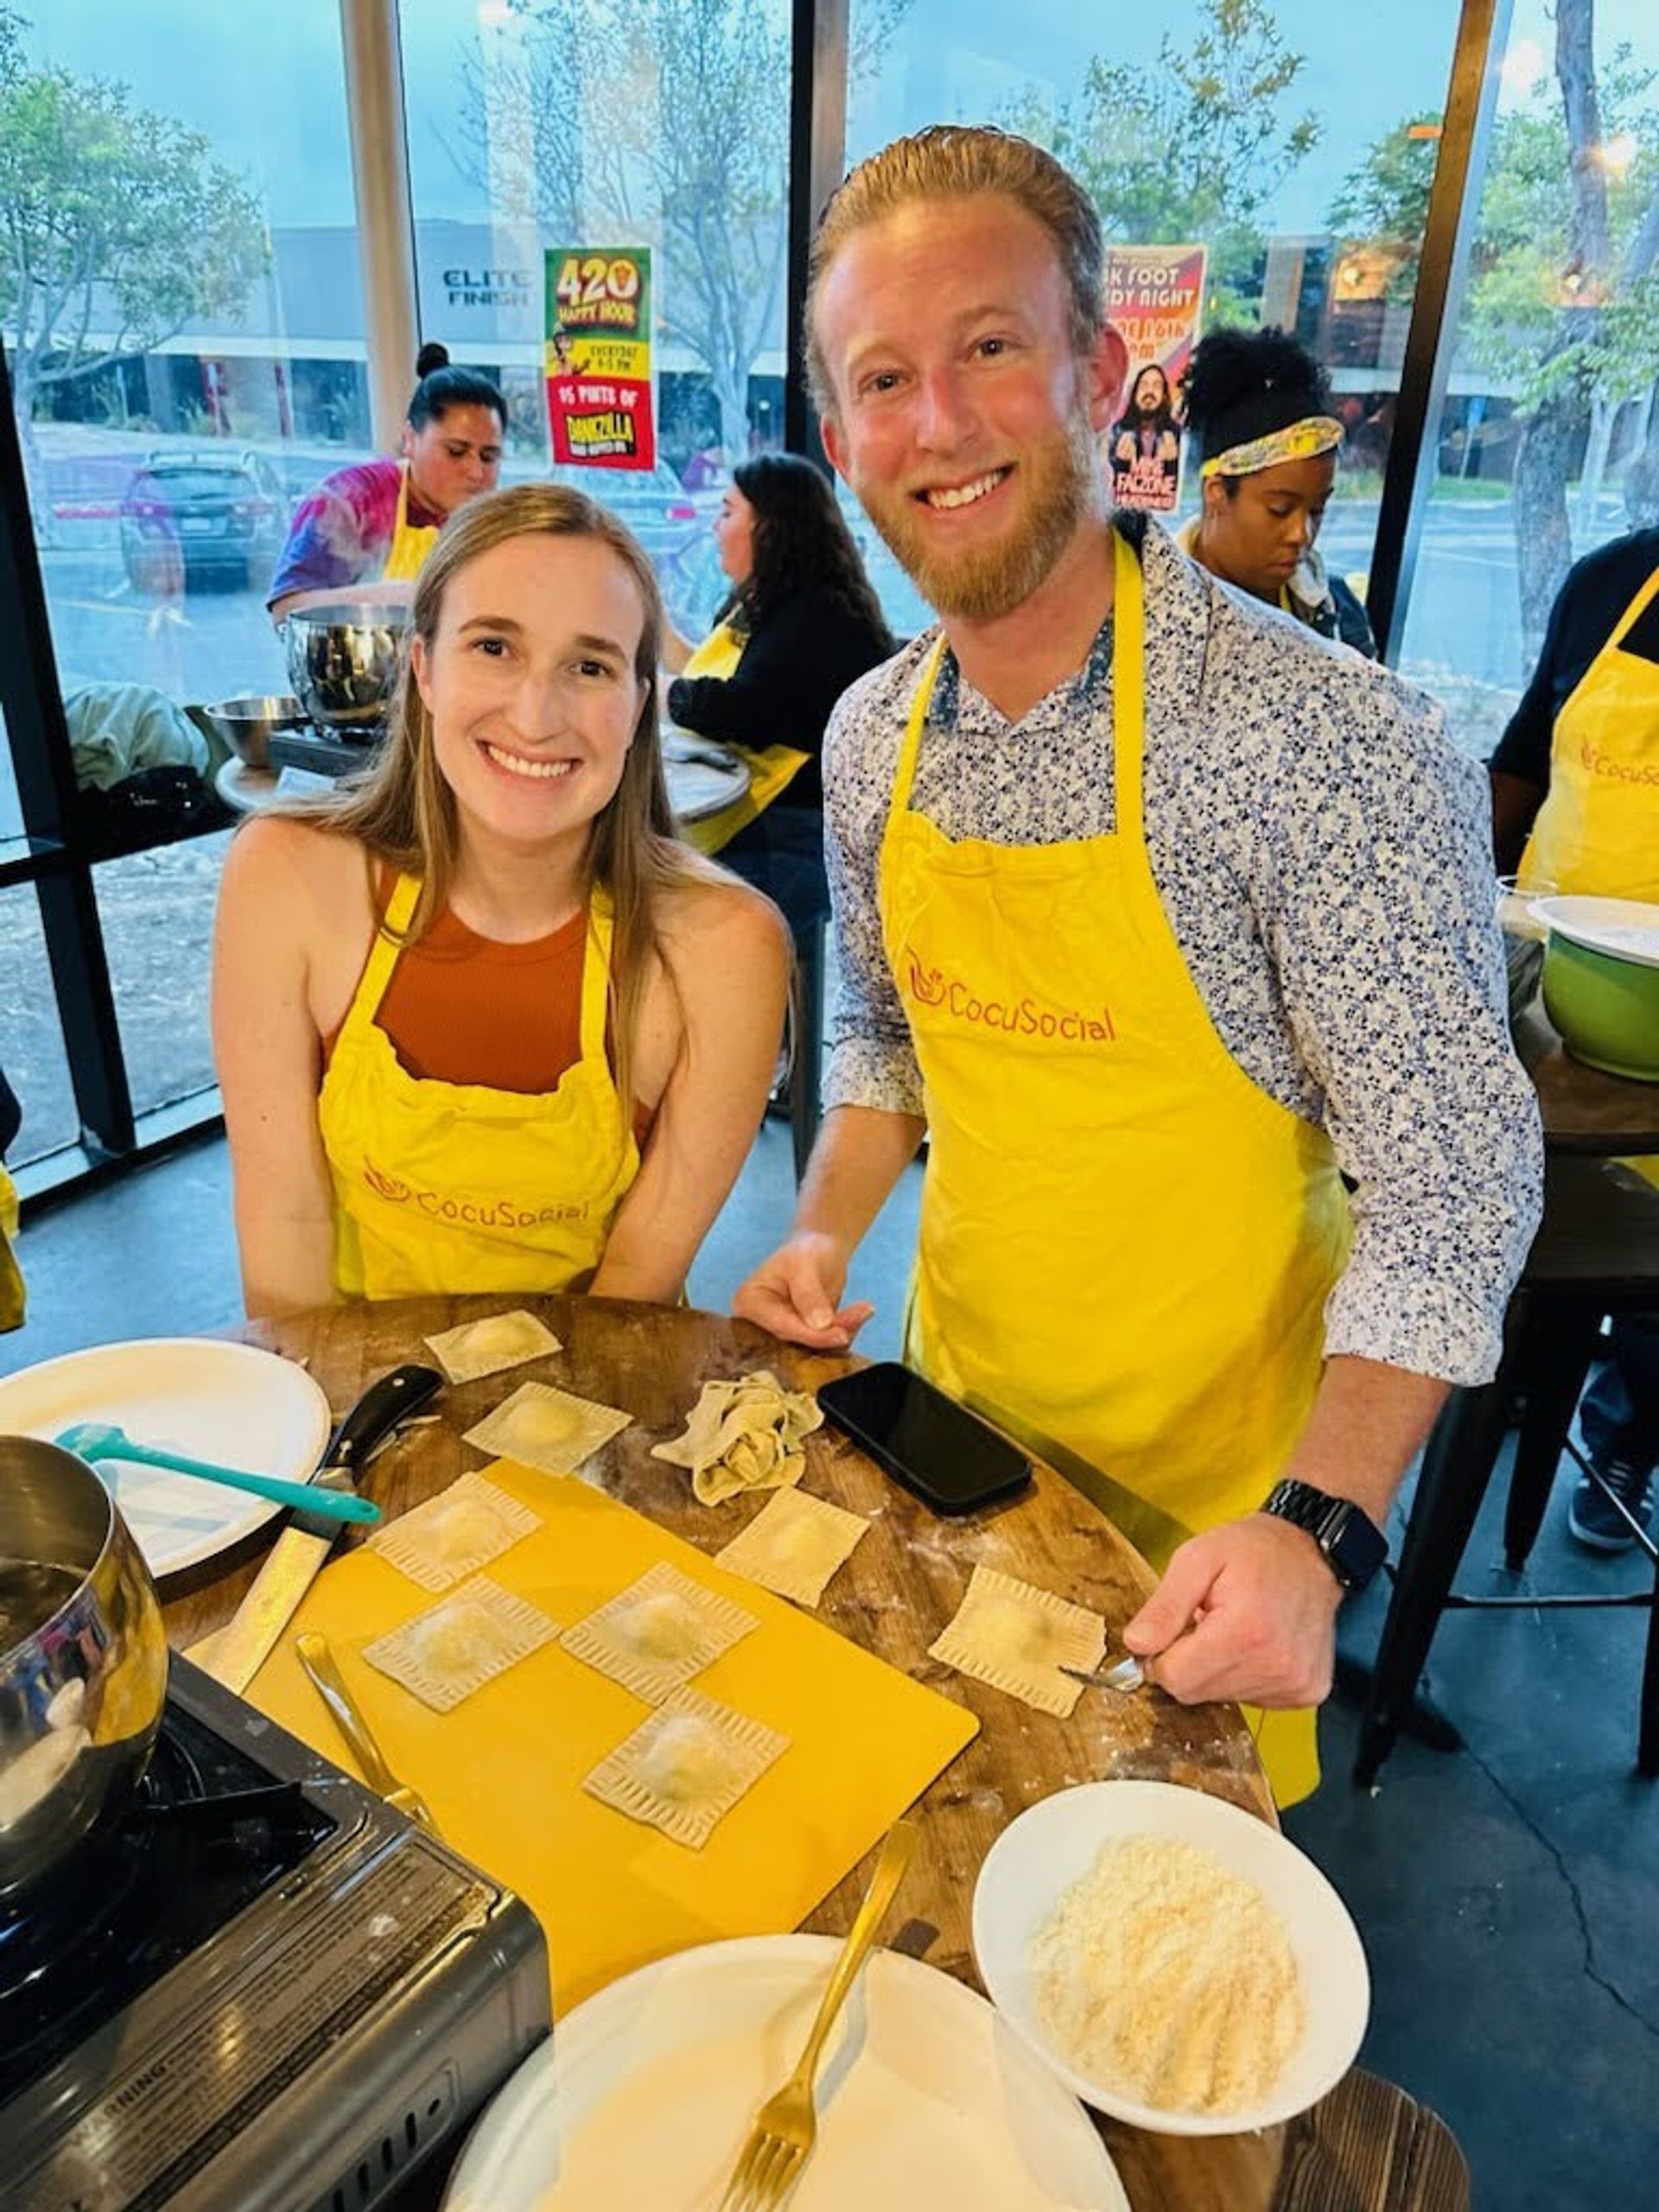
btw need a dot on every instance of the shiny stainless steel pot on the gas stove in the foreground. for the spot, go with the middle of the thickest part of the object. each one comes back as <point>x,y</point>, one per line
<point>83,1658</point>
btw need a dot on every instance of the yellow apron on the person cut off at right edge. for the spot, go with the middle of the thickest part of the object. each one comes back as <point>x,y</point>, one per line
<point>1598,831</point>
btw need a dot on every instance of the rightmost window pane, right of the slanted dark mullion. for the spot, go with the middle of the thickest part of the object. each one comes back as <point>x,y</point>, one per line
<point>1550,444</point>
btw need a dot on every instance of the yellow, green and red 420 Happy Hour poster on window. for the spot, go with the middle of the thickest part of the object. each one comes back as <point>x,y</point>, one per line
<point>601,357</point>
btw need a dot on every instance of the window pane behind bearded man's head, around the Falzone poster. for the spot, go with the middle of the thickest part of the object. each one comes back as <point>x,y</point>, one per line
<point>1231,125</point>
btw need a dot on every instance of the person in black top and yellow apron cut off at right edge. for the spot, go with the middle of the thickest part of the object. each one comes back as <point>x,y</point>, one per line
<point>1576,804</point>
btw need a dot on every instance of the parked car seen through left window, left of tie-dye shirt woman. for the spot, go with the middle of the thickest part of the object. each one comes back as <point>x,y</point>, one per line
<point>196,517</point>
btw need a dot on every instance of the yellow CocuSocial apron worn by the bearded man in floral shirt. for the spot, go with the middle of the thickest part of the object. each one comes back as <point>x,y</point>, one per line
<point>1127,1244</point>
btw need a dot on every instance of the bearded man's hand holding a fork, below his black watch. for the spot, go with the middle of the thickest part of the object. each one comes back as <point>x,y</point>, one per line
<point>1244,1611</point>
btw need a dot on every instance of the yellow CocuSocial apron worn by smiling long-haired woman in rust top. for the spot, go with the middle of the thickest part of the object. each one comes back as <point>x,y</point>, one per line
<point>466,1189</point>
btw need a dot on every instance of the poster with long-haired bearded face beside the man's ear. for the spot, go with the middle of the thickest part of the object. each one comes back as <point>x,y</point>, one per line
<point>1154,302</point>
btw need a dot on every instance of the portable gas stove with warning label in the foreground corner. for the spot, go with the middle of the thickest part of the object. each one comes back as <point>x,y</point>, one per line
<point>255,1990</point>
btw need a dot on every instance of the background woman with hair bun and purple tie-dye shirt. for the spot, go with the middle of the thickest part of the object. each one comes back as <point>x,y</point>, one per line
<point>377,521</point>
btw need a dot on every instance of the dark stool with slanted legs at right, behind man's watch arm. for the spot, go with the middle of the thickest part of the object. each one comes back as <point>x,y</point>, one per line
<point>1596,1253</point>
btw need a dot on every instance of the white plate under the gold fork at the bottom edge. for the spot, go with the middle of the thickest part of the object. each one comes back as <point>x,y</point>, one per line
<point>647,2094</point>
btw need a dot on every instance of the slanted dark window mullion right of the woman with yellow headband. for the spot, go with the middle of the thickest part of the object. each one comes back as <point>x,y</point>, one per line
<point>1437,311</point>
